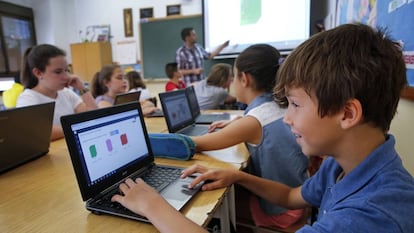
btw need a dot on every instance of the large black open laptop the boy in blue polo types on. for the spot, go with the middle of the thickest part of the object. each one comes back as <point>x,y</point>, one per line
<point>111,144</point>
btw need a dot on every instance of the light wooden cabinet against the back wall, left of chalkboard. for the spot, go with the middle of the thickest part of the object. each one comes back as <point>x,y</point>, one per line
<point>89,57</point>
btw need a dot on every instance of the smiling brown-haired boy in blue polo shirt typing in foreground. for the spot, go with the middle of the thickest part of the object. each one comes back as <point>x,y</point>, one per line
<point>333,108</point>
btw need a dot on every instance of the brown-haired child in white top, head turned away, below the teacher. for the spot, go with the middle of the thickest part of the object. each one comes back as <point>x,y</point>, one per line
<point>213,92</point>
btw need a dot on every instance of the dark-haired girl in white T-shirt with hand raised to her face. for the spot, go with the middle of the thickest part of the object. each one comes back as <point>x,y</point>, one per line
<point>45,78</point>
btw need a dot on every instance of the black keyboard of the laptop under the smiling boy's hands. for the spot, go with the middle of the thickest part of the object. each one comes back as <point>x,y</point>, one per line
<point>157,177</point>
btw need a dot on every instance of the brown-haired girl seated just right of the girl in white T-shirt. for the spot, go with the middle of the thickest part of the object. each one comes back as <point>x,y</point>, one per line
<point>109,82</point>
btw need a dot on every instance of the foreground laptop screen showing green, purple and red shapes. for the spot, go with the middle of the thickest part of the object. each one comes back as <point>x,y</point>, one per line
<point>109,144</point>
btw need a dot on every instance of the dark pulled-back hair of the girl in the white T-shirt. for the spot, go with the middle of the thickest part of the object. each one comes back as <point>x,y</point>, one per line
<point>37,57</point>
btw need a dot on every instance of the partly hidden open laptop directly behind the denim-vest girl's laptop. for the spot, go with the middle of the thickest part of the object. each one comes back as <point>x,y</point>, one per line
<point>195,110</point>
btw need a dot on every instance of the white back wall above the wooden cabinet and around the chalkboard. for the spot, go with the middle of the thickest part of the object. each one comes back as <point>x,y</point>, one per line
<point>58,22</point>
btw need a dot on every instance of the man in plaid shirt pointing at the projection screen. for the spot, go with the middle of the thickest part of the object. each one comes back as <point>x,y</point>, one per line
<point>190,57</point>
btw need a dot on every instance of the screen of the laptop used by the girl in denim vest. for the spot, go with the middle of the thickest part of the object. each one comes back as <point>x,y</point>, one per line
<point>176,109</point>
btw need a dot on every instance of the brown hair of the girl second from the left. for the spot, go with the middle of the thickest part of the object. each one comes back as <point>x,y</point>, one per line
<point>100,78</point>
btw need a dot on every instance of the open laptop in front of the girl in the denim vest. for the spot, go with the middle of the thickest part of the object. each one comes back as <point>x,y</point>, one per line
<point>177,113</point>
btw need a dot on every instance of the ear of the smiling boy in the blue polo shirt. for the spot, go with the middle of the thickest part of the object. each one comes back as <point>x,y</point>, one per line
<point>352,113</point>
